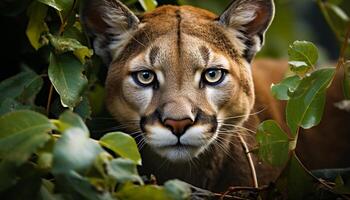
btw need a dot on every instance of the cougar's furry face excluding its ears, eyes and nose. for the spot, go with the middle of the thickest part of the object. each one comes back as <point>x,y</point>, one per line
<point>178,44</point>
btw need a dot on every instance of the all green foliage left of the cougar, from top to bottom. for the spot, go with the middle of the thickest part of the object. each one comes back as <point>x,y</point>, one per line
<point>56,158</point>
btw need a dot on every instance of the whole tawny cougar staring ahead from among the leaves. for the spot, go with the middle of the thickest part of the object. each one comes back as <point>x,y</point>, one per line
<point>181,80</point>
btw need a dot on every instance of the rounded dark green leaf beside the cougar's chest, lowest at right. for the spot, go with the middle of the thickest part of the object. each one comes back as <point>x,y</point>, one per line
<point>274,144</point>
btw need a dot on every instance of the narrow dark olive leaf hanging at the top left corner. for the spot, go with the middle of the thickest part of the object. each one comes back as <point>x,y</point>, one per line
<point>36,25</point>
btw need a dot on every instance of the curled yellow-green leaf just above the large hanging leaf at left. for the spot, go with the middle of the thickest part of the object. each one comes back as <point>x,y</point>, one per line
<point>63,45</point>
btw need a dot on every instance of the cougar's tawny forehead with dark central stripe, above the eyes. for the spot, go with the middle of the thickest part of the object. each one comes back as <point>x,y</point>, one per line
<point>179,39</point>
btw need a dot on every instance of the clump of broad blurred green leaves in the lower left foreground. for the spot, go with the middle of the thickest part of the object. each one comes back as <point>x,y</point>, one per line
<point>82,168</point>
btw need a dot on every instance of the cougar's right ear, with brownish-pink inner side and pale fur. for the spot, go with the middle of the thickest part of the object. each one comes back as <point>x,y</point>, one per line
<point>251,18</point>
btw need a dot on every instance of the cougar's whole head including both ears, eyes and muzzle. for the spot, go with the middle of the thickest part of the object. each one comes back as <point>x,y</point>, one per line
<point>179,73</point>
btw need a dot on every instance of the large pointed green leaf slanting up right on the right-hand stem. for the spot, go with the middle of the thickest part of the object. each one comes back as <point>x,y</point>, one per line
<point>305,108</point>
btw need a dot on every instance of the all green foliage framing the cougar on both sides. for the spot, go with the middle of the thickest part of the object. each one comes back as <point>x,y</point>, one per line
<point>46,150</point>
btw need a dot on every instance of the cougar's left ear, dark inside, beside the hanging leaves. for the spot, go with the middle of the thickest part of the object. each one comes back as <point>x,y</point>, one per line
<point>110,23</point>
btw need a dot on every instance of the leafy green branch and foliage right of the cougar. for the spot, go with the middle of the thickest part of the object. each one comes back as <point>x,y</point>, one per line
<point>305,91</point>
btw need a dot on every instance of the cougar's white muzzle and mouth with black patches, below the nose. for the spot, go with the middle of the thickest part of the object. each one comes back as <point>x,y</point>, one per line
<point>179,147</point>
